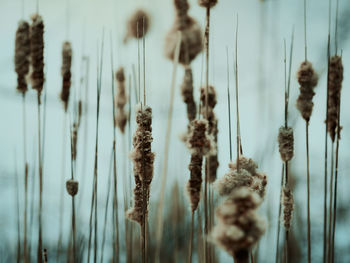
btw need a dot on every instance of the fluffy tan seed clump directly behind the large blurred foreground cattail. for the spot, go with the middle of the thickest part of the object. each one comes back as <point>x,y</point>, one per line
<point>246,176</point>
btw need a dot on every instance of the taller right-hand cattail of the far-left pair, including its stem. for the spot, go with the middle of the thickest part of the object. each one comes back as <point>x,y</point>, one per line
<point>37,81</point>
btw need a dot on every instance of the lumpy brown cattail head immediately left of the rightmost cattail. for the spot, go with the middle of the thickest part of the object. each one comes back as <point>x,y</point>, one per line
<point>307,79</point>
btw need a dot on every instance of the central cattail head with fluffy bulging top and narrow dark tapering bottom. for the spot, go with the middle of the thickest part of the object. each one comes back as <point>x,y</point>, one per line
<point>200,144</point>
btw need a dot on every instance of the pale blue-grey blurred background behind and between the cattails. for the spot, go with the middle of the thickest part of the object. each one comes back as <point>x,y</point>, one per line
<point>263,27</point>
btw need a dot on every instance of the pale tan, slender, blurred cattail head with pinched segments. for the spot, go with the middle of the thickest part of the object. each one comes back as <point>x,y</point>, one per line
<point>121,99</point>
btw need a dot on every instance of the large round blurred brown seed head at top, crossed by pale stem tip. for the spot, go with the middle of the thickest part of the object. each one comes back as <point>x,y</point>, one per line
<point>191,40</point>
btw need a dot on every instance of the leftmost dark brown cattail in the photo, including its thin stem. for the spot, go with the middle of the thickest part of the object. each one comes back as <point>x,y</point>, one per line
<point>22,62</point>
